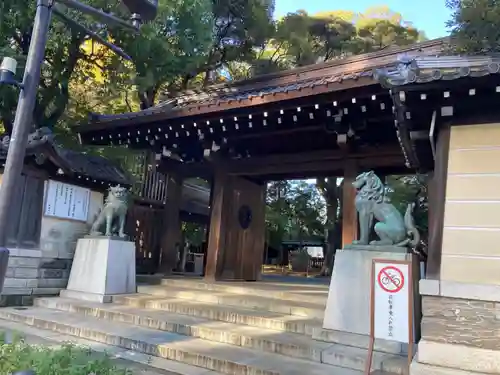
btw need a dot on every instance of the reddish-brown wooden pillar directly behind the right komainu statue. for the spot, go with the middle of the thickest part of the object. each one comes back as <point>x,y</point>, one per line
<point>349,214</point>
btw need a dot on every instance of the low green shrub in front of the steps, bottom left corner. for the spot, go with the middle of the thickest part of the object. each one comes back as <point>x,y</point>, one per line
<point>66,359</point>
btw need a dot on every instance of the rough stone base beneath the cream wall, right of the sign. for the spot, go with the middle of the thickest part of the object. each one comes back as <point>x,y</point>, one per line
<point>459,337</point>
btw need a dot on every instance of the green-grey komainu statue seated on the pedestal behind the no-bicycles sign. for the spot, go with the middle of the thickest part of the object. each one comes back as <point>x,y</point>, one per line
<point>391,228</point>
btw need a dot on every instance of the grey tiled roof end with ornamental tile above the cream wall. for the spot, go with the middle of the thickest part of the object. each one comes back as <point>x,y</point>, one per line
<point>424,69</point>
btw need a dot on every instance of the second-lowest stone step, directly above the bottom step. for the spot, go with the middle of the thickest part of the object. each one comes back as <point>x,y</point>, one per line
<point>266,340</point>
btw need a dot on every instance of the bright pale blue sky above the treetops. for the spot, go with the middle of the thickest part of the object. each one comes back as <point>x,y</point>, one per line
<point>427,15</point>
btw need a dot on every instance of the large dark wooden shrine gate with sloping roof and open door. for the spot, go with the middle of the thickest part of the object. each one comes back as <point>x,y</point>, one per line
<point>332,119</point>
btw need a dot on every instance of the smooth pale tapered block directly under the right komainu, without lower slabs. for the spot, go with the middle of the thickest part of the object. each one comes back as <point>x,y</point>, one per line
<point>348,304</point>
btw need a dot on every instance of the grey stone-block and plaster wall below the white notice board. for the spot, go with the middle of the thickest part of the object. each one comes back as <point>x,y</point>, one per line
<point>45,271</point>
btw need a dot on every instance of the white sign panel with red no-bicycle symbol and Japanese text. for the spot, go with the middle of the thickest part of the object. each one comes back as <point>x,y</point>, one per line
<point>391,301</point>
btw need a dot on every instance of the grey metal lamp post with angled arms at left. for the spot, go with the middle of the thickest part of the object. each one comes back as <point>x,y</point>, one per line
<point>145,9</point>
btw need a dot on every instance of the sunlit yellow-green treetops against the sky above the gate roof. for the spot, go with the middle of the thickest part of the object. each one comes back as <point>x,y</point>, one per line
<point>303,39</point>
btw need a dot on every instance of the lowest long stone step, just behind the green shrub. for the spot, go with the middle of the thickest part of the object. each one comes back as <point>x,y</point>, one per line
<point>224,358</point>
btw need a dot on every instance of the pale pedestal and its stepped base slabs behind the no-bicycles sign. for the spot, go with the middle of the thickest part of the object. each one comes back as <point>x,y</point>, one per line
<point>347,316</point>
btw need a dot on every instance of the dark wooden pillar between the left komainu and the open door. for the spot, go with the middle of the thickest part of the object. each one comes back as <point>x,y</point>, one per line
<point>171,222</point>
